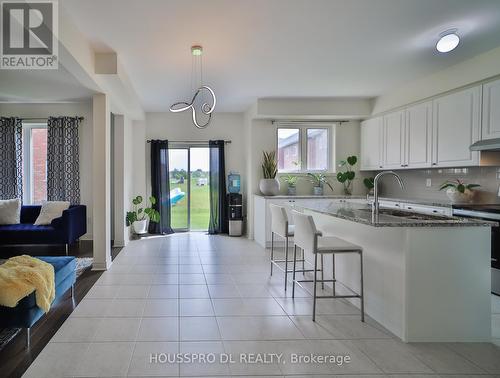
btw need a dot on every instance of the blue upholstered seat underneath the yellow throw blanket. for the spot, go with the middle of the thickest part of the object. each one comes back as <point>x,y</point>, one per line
<point>27,313</point>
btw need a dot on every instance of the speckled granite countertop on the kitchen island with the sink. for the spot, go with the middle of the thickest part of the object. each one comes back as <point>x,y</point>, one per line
<point>362,213</point>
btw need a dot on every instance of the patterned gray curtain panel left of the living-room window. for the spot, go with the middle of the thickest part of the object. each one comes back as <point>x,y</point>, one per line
<point>11,158</point>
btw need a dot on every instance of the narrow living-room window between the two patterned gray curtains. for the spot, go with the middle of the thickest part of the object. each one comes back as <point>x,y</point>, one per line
<point>34,163</point>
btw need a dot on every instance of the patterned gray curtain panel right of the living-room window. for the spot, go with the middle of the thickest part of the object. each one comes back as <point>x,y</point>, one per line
<point>63,159</point>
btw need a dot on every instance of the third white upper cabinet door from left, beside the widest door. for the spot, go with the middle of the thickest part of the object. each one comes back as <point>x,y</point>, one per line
<point>418,136</point>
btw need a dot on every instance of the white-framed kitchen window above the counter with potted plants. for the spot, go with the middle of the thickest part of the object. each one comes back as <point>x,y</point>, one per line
<point>304,147</point>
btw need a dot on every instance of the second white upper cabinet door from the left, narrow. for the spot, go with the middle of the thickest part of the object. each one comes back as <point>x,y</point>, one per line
<point>393,140</point>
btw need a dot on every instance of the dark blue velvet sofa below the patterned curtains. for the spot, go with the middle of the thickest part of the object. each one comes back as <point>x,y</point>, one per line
<point>64,230</point>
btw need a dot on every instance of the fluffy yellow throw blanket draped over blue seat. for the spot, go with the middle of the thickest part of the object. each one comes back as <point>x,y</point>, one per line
<point>21,275</point>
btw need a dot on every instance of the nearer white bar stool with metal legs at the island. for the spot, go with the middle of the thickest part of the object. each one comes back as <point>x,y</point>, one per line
<point>307,237</point>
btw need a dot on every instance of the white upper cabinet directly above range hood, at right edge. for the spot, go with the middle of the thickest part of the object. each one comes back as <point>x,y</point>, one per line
<point>491,110</point>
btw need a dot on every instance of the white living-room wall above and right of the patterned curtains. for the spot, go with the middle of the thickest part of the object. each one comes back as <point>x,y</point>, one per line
<point>83,109</point>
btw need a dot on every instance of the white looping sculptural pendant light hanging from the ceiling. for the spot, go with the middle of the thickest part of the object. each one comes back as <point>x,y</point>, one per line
<point>206,108</point>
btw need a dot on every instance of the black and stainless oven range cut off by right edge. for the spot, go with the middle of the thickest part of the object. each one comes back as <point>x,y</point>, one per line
<point>492,213</point>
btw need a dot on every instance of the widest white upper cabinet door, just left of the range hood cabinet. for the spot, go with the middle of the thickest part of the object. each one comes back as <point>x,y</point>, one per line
<point>456,125</point>
